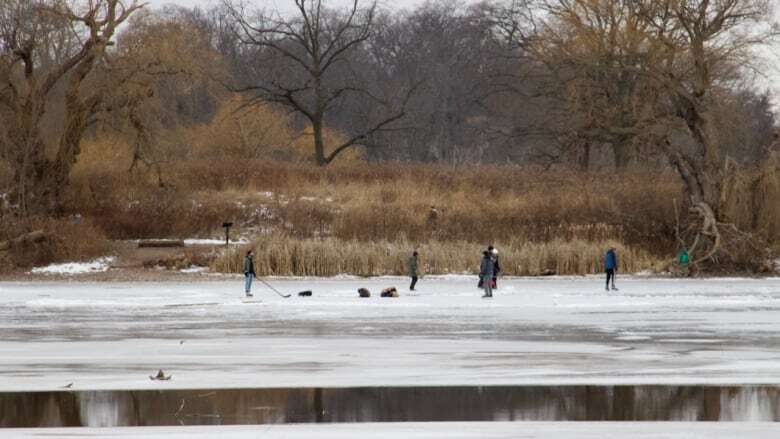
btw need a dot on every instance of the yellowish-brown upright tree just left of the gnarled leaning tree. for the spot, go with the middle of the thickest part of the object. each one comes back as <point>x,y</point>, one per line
<point>590,50</point>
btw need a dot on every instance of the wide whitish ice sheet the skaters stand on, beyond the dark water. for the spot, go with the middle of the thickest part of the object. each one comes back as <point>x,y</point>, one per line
<point>535,331</point>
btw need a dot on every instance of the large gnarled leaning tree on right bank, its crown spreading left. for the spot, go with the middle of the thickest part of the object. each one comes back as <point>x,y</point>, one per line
<point>687,55</point>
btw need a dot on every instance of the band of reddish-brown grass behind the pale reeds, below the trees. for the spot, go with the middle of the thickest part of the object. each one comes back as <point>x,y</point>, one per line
<point>387,202</point>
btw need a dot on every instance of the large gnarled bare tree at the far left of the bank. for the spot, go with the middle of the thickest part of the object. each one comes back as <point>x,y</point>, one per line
<point>50,47</point>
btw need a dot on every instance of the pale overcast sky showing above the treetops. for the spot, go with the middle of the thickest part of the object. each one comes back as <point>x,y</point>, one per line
<point>771,65</point>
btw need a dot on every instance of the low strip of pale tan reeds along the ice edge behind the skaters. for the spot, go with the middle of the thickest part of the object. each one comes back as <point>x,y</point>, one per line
<point>289,256</point>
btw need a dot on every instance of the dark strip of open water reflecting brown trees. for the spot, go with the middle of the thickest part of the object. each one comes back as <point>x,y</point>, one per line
<point>390,404</point>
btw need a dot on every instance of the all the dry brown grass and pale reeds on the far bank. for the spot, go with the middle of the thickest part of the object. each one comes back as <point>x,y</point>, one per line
<point>559,220</point>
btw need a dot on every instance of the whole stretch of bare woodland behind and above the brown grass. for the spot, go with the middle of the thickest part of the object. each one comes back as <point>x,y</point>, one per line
<point>91,88</point>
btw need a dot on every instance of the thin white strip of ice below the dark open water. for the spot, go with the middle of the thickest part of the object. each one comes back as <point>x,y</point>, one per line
<point>433,430</point>
